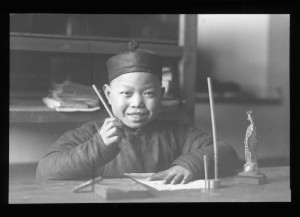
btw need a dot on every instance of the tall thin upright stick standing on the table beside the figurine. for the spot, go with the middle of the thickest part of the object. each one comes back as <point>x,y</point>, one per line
<point>211,100</point>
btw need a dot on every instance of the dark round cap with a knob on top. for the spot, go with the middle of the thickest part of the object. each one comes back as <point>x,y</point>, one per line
<point>134,60</point>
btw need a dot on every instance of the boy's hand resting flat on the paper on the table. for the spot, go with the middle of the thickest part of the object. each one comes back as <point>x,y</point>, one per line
<point>175,175</point>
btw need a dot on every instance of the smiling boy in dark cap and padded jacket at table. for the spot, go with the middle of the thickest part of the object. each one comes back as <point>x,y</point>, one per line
<point>134,141</point>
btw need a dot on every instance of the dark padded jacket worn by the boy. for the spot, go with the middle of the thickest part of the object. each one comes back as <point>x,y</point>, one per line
<point>81,153</point>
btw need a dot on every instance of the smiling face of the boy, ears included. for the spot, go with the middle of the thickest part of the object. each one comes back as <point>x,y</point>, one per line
<point>135,98</point>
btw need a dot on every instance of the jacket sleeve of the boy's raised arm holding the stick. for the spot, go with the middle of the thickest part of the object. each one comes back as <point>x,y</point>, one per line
<point>76,155</point>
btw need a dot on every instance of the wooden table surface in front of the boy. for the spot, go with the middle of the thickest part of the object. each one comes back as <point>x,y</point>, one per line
<point>277,189</point>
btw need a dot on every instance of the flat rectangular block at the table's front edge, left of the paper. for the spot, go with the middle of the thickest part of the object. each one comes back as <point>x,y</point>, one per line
<point>112,189</point>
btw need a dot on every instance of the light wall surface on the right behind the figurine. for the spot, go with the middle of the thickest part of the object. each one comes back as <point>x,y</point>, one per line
<point>253,51</point>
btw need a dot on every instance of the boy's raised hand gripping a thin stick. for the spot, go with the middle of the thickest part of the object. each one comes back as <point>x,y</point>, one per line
<point>111,132</point>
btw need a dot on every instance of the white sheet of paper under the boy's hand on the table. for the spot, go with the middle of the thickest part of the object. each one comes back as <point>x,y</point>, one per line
<point>160,186</point>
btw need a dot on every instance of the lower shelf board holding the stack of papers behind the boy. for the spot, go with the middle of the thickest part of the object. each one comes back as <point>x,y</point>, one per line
<point>34,111</point>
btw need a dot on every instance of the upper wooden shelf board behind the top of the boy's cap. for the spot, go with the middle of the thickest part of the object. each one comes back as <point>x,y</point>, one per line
<point>86,45</point>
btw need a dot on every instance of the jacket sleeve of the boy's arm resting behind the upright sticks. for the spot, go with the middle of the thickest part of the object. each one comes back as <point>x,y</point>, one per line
<point>194,144</point>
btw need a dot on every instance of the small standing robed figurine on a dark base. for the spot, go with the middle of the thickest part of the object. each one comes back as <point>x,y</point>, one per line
<point>251,173</point>
